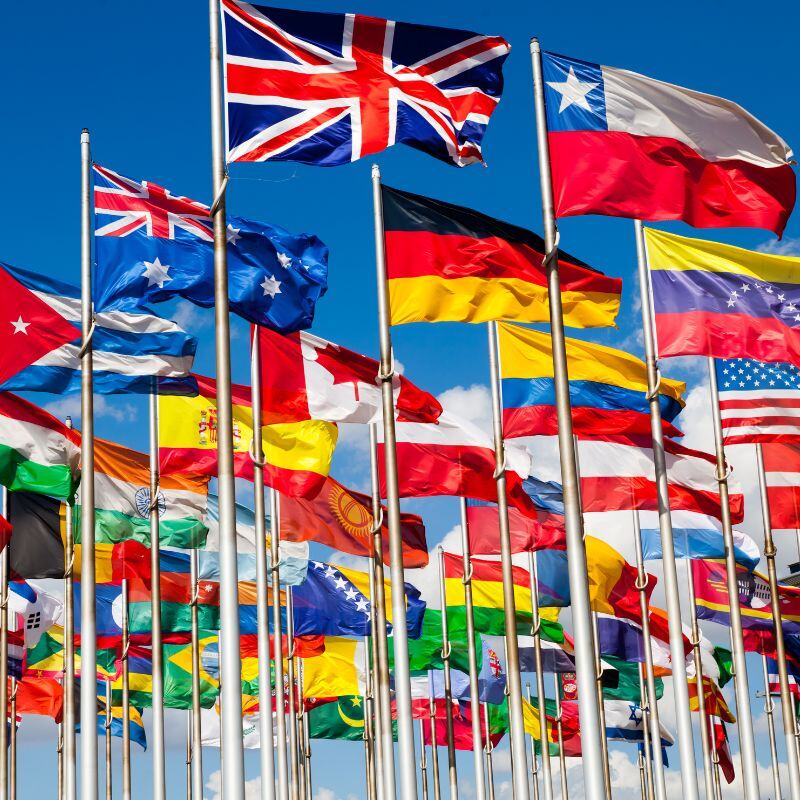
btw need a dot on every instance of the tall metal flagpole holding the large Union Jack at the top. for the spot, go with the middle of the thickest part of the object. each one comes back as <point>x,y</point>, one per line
<point>232,750</point>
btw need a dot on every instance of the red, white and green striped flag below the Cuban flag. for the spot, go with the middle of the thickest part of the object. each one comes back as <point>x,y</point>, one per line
<point>38,453</point>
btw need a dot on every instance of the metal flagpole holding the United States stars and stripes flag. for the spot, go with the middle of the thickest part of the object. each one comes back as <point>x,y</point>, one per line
<point>747,745</point>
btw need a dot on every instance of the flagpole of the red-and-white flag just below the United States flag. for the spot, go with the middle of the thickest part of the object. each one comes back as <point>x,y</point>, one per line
<point>770,551</point>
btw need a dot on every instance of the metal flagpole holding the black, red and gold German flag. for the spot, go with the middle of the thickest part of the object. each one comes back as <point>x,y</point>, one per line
<point>402,677</point>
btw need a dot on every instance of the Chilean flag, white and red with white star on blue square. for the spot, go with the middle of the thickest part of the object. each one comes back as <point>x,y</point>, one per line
<point>625,145</point>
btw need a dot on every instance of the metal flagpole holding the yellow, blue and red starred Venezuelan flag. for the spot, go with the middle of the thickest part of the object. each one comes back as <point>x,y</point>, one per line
<point>683,716</point>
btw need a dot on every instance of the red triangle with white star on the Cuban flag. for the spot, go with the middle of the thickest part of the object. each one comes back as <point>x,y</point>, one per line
<point>29,328</point>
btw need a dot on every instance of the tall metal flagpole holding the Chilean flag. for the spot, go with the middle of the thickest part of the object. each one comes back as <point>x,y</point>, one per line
<point>591,734</point>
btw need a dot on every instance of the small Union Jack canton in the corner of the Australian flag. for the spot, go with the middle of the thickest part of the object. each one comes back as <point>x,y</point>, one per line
<point>133,206</point>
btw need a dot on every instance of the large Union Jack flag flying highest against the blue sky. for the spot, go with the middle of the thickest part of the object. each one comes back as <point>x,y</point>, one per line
<point>327,89</point>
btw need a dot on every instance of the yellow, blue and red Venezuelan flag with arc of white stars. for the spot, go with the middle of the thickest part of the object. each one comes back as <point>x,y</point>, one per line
<point>713,299</point>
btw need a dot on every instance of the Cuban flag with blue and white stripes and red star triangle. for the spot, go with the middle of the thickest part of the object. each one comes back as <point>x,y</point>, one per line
<point>128,350</point>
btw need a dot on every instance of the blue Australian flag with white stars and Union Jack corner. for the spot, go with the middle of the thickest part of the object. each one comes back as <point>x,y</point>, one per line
<point>152,246</point>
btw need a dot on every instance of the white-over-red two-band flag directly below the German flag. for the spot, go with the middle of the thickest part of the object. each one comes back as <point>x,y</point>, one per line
<point>454,457</point>
